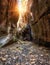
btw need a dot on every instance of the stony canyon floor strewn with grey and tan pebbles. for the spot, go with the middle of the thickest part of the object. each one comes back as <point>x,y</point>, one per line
<point>24,53</point>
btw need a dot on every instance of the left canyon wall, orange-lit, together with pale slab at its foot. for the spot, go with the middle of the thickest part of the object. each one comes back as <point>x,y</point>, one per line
<point>8,20</point>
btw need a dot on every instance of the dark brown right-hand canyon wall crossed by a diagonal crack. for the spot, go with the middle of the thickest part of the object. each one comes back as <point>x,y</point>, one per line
<point>41,24</point>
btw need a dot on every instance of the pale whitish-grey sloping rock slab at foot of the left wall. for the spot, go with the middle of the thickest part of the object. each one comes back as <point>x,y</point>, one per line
<point>5,39</point>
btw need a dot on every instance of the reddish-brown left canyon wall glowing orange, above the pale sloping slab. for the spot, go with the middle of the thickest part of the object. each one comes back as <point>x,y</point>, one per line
<point>8,14</point>
